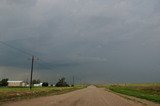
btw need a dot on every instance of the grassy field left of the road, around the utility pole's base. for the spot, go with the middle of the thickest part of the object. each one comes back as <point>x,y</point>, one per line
<point>19,93</point>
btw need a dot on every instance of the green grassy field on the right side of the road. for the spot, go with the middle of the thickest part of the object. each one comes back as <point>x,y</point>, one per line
<point>148,91</point>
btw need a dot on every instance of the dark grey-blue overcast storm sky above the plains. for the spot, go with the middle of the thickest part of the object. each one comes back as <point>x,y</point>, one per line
<point>97,41</point>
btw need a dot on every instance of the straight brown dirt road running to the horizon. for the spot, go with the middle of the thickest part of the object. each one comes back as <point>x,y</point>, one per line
<point>90,96</point>
